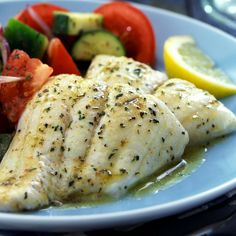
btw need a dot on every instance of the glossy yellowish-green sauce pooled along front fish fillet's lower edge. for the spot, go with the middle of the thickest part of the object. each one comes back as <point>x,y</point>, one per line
<point>192,159</point>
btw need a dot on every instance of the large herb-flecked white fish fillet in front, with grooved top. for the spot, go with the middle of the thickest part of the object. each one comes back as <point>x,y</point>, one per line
<point>79,139</point>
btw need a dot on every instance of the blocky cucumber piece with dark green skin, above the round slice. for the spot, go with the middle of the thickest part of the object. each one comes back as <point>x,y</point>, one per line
<point>74,23</point>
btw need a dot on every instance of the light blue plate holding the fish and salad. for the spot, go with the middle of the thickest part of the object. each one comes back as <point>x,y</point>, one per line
<point>214,177</point>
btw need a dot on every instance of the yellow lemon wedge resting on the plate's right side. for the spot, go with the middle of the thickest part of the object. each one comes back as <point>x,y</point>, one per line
<point>183,59</point>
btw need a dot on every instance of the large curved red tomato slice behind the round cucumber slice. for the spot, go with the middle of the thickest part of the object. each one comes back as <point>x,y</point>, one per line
<point>132,27</point>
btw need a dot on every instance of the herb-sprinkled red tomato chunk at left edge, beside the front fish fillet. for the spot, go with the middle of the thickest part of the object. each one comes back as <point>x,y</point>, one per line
<point>14,96</point>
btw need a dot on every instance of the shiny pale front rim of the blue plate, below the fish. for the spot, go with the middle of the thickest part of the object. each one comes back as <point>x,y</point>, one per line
<point>72,223</point>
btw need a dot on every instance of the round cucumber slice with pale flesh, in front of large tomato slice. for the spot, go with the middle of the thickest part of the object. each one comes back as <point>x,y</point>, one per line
<point>97,42</point>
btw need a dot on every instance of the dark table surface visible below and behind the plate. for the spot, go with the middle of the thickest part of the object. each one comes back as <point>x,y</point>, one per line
<point>217,217</point>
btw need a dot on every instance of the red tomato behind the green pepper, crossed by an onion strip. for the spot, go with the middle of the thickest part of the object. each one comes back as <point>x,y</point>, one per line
<point>44,10</point>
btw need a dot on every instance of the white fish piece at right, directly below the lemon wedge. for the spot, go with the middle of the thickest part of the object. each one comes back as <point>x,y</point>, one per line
<point>201,114</point>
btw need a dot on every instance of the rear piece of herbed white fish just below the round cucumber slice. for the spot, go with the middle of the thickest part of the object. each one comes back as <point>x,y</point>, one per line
<point>111,70</point>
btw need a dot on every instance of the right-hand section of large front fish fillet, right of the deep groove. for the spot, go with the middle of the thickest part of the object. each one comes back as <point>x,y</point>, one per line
<point>137,136</point>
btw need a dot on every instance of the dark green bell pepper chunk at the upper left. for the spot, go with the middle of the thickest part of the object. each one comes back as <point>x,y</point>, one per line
<point>21,36</point>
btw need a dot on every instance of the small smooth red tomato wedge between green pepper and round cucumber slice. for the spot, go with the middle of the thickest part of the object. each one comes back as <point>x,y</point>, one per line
<point>59,59</point>
